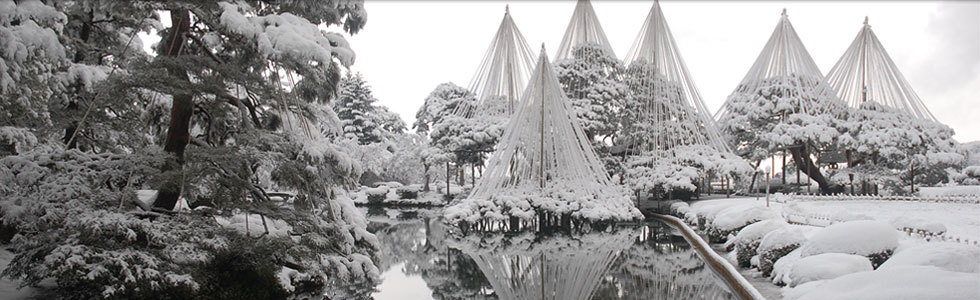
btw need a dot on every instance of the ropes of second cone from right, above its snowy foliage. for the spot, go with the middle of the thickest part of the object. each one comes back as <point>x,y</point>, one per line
<point>785,63</point>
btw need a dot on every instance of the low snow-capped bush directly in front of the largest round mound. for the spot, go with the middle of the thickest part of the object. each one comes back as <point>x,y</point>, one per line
<point>827,266</point>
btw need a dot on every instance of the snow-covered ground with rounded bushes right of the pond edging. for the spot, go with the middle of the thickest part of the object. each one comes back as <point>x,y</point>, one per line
<point>842,275</point>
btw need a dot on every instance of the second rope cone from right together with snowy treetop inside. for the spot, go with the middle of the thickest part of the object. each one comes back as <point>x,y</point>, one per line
<point>782,100</point>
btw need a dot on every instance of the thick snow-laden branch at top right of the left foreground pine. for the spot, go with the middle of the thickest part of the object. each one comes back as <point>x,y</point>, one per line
<point>286,36</point>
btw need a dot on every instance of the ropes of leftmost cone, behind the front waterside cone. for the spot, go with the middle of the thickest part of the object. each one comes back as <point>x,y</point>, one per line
<point>505,68</point>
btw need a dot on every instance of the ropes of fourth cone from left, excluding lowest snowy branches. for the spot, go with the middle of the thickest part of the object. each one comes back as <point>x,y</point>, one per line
<point>664,90</point>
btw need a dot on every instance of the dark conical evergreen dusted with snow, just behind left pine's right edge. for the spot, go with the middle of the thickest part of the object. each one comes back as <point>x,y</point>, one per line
<point>355,108</point>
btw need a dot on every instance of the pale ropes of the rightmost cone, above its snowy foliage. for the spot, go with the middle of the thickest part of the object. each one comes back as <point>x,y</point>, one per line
<point>866,73</point>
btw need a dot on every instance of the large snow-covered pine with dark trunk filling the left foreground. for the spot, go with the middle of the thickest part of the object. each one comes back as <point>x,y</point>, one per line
<point>238,97</point>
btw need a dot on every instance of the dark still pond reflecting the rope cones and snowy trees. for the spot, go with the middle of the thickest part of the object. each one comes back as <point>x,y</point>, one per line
<point>422,258</point>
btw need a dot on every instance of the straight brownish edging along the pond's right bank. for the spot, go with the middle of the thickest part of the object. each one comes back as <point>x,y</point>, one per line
<point>741,286</point>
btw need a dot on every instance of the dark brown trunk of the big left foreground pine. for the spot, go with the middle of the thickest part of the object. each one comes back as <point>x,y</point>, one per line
<point>178,133</point>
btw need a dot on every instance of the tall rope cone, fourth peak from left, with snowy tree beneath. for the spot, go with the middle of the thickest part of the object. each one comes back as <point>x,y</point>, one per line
<point>669,135</point>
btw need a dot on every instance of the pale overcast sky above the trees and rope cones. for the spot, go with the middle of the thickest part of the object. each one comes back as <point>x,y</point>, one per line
<point>409,47</point>
